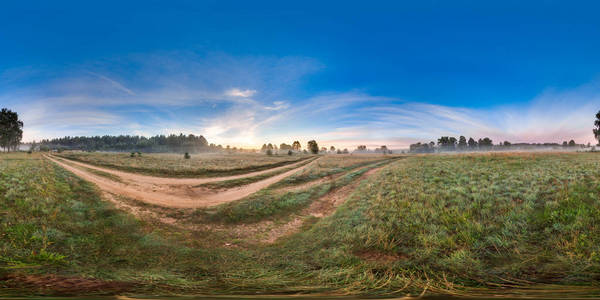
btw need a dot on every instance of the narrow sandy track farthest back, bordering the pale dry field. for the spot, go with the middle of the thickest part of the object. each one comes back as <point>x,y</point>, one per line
<point>175,181</point>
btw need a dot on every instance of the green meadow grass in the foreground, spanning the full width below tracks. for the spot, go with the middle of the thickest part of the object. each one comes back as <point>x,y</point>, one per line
<point>449,224</point>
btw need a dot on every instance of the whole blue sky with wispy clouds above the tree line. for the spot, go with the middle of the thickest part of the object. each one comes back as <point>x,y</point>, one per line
<point>345,73</point>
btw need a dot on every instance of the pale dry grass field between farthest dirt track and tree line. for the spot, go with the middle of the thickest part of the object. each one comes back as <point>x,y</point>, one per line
<point>174,165</point>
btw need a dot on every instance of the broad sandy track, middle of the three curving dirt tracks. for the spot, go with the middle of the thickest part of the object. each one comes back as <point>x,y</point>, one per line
<point>182,197</point>
